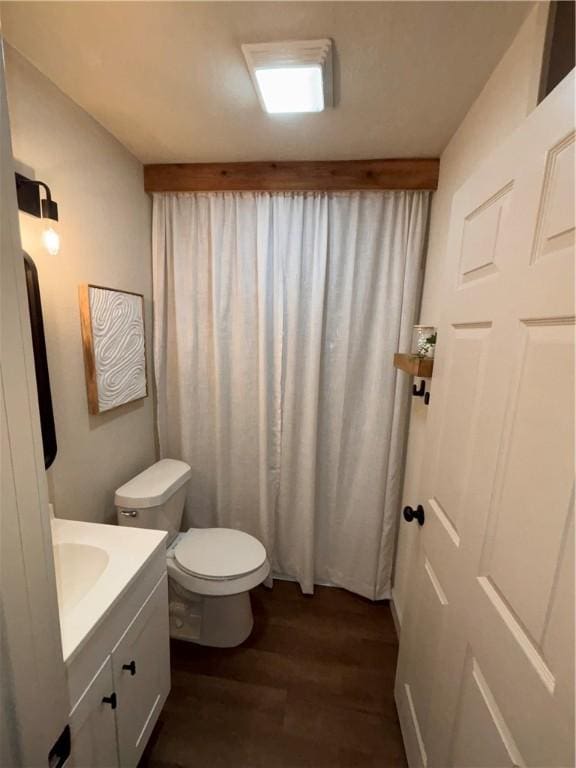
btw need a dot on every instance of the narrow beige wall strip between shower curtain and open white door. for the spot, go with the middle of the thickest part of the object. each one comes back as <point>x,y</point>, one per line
<point>508,96</point>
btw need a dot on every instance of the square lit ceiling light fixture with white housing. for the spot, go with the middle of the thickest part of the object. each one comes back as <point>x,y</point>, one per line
<point>291,77</point>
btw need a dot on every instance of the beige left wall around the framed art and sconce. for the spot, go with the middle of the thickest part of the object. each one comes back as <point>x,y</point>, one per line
<point>105,230</point>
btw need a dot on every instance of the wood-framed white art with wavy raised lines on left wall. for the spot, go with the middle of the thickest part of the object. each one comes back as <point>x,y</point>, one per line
<point>114,346</point>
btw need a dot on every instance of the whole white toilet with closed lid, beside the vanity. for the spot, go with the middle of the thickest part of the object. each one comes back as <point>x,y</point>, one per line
<point>211,570</point>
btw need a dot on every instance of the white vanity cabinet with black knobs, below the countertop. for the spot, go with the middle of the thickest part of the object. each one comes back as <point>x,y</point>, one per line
<point>120,678</point>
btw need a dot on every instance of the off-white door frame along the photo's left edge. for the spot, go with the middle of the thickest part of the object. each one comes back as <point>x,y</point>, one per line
<point>33,689</point>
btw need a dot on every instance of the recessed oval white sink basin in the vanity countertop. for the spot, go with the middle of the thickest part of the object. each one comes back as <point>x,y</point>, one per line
<point>78,567</point>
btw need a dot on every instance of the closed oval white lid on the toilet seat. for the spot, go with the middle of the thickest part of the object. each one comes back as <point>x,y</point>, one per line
<point>219,553</point>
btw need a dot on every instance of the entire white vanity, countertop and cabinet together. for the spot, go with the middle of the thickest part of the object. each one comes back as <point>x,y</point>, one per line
<point>113,604</point>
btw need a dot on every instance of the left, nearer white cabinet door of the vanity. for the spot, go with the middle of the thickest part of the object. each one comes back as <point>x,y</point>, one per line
<point>93,724</point>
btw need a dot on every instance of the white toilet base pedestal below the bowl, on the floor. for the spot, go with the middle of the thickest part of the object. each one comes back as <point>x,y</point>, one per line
<point>222,621</point>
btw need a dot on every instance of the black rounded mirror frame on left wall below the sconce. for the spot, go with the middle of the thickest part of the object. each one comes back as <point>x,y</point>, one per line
<point>40,362</point>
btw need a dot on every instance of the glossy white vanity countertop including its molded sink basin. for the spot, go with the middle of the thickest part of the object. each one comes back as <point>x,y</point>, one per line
<point>95,564</point>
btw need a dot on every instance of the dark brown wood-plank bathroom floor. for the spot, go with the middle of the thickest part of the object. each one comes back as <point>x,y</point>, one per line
<point>312,686</point>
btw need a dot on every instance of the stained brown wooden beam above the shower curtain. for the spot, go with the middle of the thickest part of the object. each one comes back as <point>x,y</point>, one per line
<point>307,175</point>
